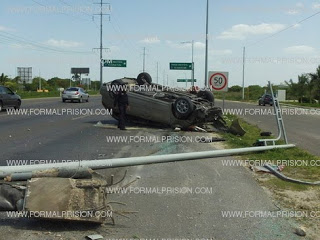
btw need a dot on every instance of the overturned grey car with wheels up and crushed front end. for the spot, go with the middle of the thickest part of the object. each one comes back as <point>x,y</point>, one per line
<point>154,103</point>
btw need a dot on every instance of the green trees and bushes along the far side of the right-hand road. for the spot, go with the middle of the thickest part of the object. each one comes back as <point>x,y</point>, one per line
<point>304,92</point>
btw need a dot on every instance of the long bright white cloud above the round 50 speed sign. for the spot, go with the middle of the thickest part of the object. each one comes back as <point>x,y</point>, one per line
<point>241,31</point>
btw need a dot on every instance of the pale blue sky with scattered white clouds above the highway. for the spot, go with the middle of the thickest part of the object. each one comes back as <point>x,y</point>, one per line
<point>54,35</point>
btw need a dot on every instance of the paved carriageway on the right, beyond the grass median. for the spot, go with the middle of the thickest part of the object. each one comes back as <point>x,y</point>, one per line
<point>302,126</point>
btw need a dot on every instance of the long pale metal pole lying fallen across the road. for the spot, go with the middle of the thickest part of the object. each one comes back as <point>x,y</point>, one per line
<point>132,161</point>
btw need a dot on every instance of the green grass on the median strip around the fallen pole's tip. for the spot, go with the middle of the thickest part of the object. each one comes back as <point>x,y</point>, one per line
<point>295,155</point>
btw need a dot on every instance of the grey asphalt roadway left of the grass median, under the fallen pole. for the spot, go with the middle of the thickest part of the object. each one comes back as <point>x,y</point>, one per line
<point>160,214</point>
